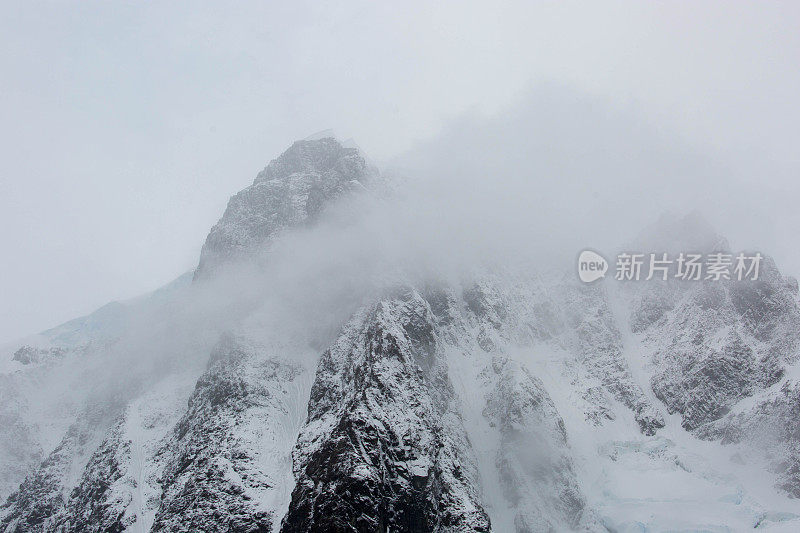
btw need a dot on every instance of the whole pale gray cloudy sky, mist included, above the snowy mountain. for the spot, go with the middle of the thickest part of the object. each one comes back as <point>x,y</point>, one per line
<point>126,127</point>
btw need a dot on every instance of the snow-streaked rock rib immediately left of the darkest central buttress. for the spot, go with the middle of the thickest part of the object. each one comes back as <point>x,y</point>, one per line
<point>224,458</point>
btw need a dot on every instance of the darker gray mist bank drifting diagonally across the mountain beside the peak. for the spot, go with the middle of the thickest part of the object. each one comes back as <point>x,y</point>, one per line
<point>520,191</point>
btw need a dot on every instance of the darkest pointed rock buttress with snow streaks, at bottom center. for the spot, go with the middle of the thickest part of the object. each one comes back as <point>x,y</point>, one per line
<point>383,448</point>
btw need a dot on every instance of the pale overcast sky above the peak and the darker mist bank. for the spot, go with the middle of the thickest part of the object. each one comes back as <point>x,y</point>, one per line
<point>126,126</point>
